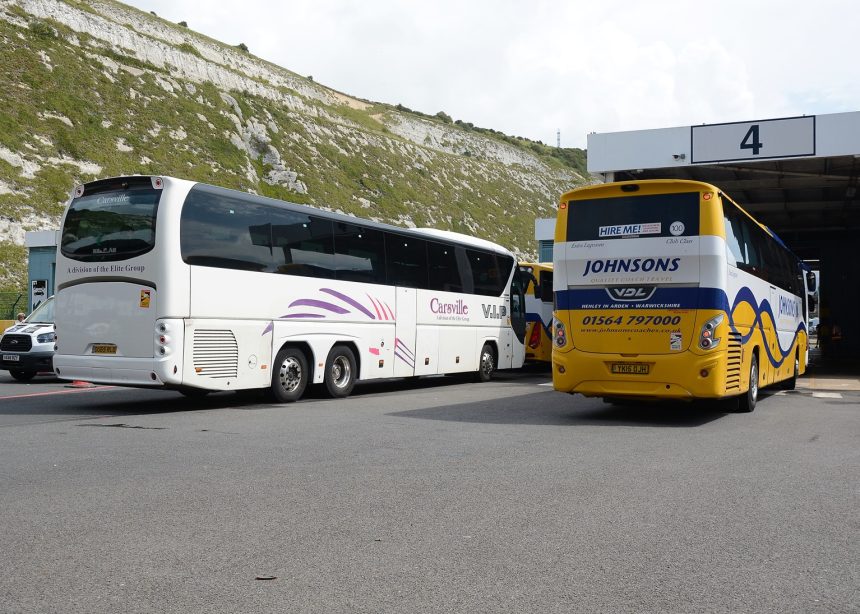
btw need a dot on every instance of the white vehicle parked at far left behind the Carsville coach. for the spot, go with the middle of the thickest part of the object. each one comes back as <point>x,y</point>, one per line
<point>27,348</point>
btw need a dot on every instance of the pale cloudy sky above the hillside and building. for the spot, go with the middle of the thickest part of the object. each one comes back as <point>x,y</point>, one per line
<point>532,68</point>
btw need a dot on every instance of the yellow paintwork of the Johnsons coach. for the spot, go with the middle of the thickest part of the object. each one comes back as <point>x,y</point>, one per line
<point>691,373</point>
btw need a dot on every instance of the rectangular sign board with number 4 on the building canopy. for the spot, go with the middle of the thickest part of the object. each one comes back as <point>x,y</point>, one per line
<point>791,137</point>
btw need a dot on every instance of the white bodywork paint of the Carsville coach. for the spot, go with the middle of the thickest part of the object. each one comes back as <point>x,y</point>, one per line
<point>100,303</point>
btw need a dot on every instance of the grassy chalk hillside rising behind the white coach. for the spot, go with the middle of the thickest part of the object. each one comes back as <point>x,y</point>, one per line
<point>97,89</point>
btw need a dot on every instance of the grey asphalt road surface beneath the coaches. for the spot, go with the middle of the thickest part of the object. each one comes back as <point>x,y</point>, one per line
<point>436,495</point>
